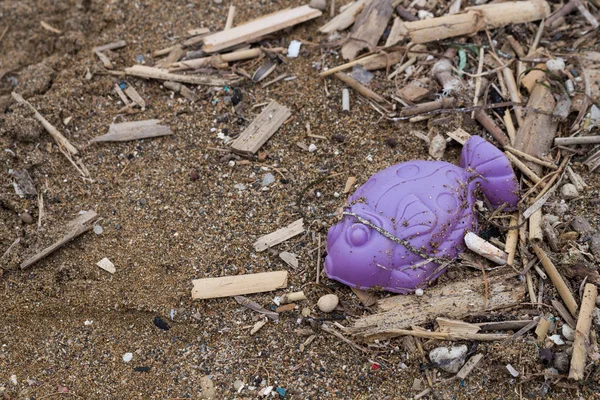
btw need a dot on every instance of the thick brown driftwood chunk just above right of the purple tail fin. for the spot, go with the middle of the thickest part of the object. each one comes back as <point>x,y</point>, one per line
<point>537,133</point>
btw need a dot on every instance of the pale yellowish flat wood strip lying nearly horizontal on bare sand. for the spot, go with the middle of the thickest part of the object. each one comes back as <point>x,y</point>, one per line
<point>226,286</point>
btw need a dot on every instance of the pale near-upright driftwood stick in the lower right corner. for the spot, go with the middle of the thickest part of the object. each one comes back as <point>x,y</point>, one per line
<point>582,333</point>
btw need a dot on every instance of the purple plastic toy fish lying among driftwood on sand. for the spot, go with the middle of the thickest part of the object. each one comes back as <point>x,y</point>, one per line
<point>428,205</point>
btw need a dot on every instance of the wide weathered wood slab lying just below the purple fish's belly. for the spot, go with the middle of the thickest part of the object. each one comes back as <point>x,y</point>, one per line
<point>451,300</point>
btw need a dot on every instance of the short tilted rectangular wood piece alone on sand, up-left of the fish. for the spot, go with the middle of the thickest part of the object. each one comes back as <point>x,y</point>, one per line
<point>262,128</point>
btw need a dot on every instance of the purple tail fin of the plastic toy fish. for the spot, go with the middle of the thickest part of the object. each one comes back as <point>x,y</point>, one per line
<point>493,171</point>
